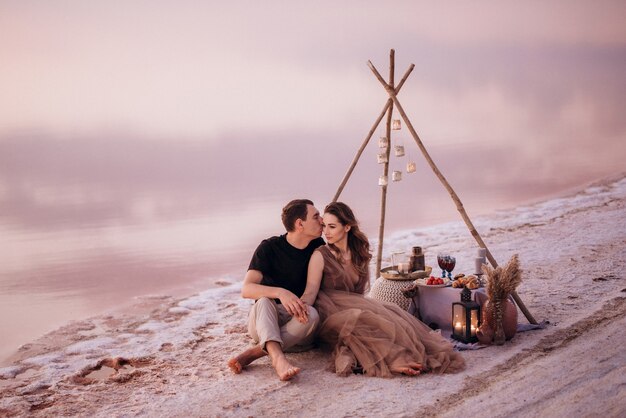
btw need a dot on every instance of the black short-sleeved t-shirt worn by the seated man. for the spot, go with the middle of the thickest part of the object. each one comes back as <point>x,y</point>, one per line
<point>282,264</point>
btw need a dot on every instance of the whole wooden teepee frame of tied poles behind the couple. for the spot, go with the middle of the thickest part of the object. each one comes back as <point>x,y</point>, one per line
<point>393,91</point>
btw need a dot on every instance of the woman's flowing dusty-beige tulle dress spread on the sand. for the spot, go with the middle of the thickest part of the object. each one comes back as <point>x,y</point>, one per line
<point>379,335</point>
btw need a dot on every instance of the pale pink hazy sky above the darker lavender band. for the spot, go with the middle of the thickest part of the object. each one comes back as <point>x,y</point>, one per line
<point>202,69</point>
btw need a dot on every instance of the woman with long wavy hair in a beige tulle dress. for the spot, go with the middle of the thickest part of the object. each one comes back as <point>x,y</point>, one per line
<point>378,337</point>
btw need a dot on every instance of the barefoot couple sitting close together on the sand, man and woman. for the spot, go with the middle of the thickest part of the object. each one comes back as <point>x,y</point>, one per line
<point>306,289</point>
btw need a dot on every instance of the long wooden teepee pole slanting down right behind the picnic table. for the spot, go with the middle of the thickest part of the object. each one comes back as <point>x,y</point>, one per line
<point>455,198</point>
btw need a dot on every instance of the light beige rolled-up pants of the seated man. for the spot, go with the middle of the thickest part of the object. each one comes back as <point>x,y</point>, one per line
<point>270,321</point>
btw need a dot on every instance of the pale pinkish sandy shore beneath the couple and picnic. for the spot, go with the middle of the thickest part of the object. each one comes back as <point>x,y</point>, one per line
<point>170,359</point>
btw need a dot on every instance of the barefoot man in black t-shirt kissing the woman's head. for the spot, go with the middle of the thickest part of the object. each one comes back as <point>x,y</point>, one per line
<point>279,321</point>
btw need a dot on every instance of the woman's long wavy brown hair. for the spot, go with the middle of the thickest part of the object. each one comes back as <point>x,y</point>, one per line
<point>357,241</point>
